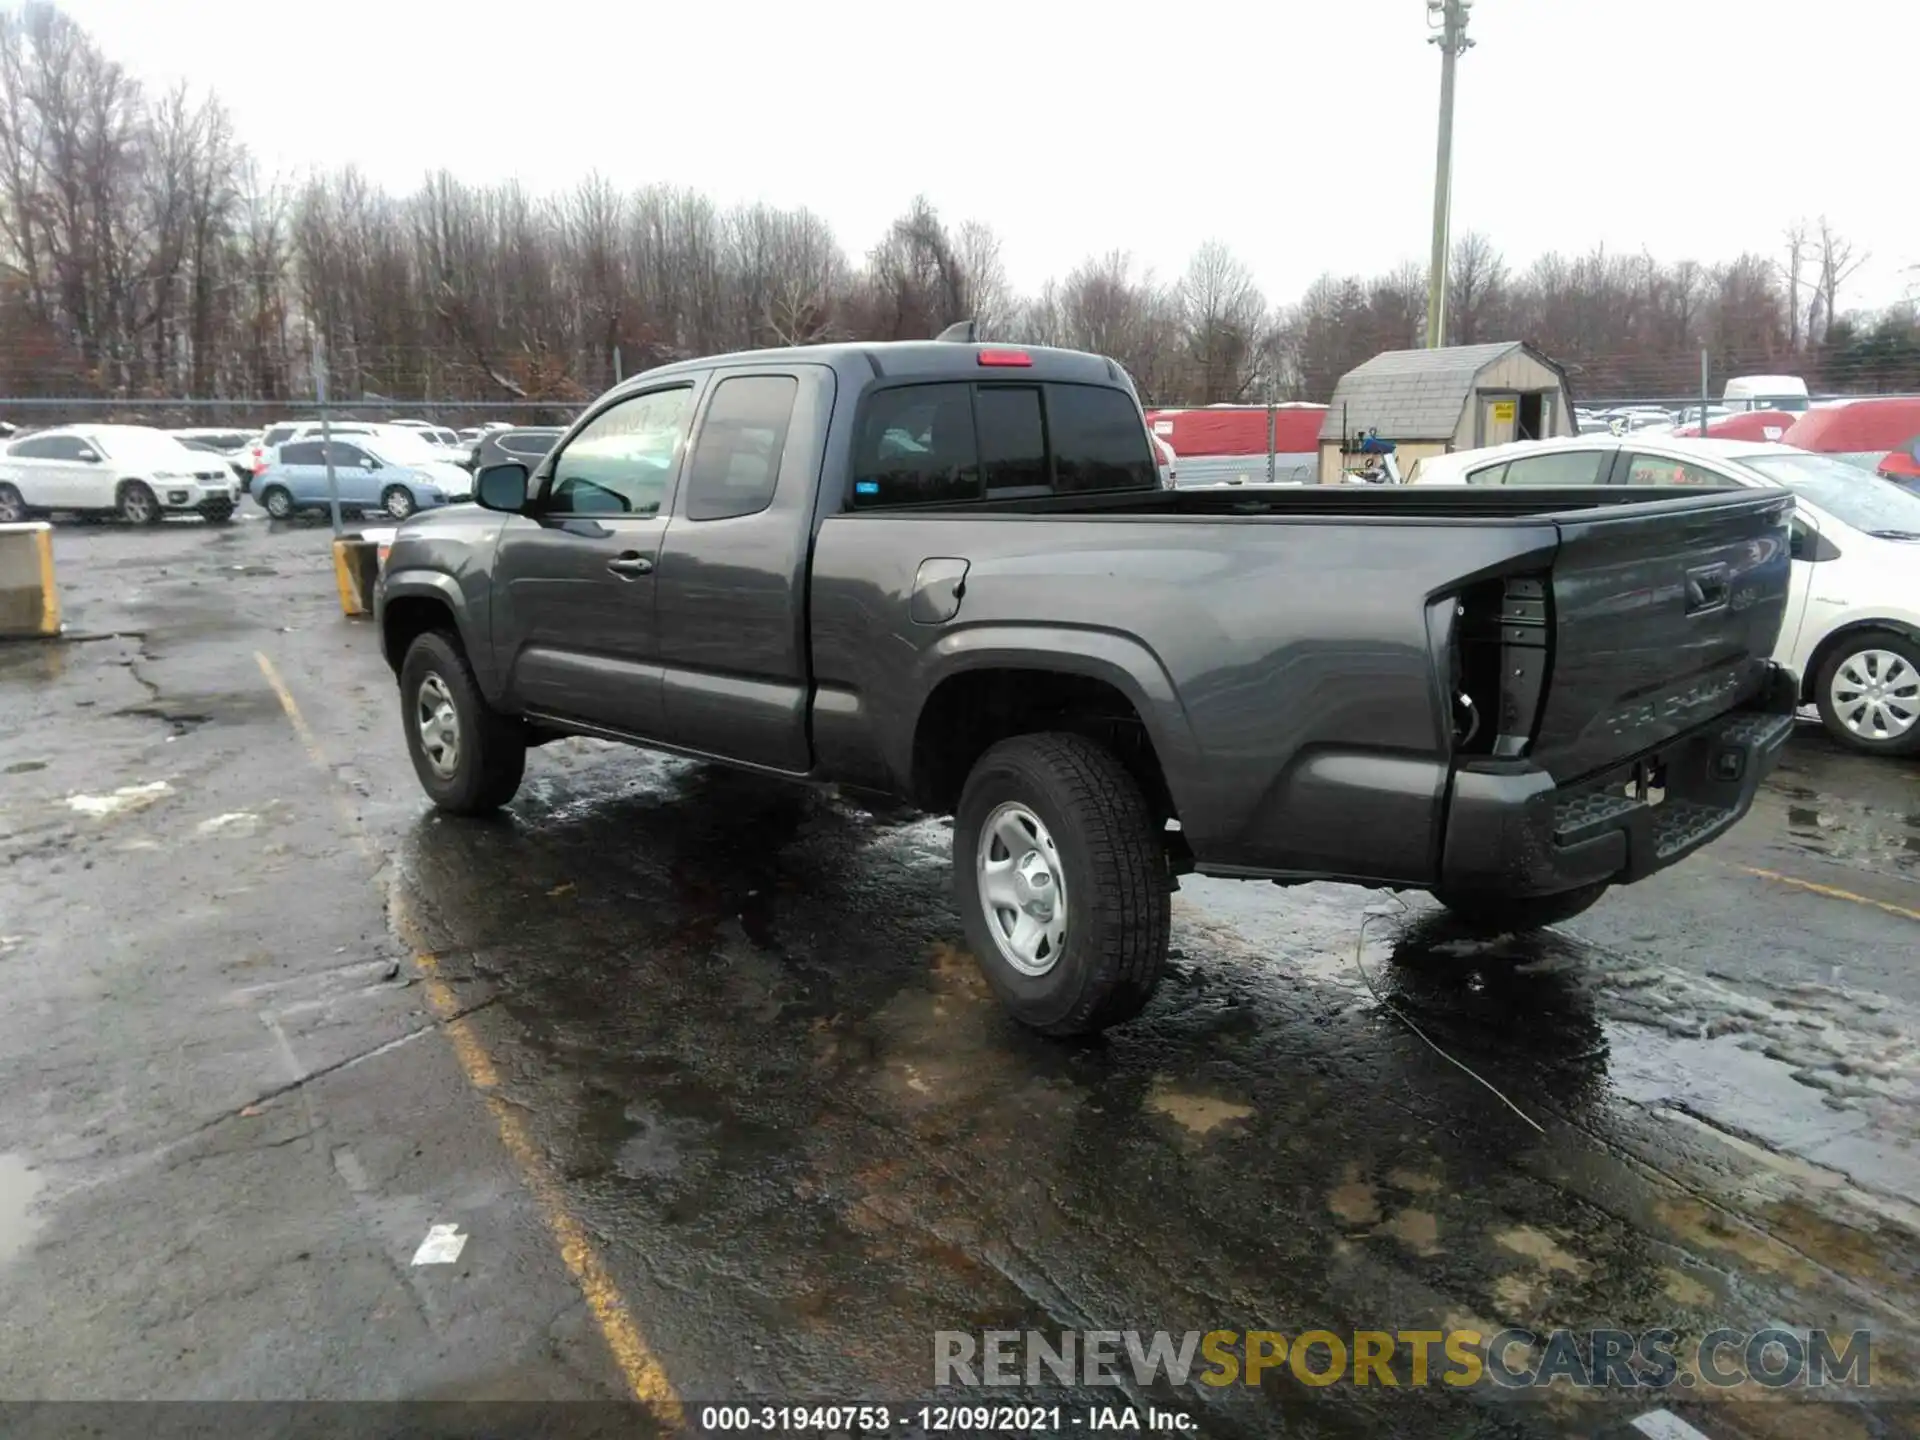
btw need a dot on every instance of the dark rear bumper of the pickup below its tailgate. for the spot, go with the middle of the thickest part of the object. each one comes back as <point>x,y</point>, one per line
<point>1516,832</point>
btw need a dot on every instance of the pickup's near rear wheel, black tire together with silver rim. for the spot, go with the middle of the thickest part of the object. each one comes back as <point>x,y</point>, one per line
<point>1063,884</point>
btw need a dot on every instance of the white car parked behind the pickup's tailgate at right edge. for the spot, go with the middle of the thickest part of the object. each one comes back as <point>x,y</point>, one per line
<point>1854,612</point>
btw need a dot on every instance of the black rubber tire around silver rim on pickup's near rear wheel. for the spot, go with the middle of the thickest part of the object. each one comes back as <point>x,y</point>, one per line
<point>1115,871</point>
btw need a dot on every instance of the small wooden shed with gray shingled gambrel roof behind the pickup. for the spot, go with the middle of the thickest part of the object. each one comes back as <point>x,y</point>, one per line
<point>1431,402</point>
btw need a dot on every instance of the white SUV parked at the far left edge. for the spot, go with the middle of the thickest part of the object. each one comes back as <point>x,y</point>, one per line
<point>133,471</point>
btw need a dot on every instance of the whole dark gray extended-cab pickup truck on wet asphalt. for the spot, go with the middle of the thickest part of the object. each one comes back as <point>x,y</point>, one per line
<point>948,573</point>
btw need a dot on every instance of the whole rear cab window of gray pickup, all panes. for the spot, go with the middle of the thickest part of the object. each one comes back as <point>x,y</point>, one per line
<point>949,443</point>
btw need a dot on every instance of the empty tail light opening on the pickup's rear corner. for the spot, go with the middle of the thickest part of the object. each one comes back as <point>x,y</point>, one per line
<point>1499,665</point>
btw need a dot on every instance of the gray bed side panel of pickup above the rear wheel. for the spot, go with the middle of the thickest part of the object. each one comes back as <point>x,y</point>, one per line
<point>1282,665</point>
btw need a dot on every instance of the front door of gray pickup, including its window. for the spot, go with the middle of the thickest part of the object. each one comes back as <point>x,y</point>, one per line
<point>577,577</point>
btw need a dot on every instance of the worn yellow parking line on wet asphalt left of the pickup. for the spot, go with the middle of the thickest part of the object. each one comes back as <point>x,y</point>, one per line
<point>612,1314</point>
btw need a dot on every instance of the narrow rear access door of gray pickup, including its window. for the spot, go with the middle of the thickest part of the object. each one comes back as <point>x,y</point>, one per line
<point>732,579</point>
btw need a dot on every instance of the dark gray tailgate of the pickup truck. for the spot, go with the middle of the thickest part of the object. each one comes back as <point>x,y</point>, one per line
<point>1662,617</point>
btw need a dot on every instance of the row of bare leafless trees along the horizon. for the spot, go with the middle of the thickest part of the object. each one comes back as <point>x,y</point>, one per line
<point>145,254</point>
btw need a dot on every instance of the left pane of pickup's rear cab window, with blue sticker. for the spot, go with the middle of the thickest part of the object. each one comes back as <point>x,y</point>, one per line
<point>917,448</point>
